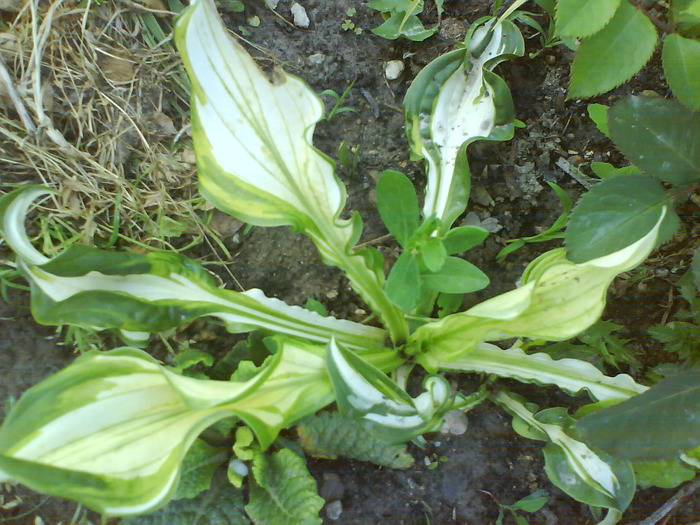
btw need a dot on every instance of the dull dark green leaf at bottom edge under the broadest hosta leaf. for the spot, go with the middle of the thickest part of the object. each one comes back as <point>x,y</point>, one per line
<point>220,505</point>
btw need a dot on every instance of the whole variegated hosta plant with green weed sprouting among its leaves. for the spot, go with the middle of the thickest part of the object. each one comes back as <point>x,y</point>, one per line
<point>113,429</point>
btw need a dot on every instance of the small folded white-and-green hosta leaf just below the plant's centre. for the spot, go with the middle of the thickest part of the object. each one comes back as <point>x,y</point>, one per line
<point>365,392</point>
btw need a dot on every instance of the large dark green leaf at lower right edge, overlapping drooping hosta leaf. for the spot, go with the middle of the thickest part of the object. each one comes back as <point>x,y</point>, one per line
<point>659,424</point>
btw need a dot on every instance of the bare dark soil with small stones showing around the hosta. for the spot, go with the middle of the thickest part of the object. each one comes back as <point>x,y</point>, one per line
<point>509,192</point>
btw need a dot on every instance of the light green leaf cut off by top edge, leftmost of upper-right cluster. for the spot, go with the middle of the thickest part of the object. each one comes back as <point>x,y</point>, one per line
<point>582,18</point>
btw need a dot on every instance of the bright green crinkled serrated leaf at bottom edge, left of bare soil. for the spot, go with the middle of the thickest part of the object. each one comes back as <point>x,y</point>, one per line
<point>282,491</point>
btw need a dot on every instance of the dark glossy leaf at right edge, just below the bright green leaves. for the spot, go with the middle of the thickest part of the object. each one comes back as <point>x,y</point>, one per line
<point>660,136</point>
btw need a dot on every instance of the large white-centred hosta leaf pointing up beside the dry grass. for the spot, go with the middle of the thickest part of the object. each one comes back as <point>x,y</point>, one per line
<point>252,136</point>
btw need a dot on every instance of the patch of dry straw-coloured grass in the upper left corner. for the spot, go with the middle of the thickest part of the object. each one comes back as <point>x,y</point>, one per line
<point>95,105</point>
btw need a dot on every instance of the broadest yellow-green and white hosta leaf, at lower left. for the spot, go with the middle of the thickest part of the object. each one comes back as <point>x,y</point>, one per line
<point>111,430</point>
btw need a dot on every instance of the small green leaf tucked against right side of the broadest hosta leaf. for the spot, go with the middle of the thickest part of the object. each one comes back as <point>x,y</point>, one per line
<point>198,467</point>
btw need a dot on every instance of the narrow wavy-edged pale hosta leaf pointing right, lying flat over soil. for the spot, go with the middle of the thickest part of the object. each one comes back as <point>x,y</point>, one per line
<point>571,375</point>
